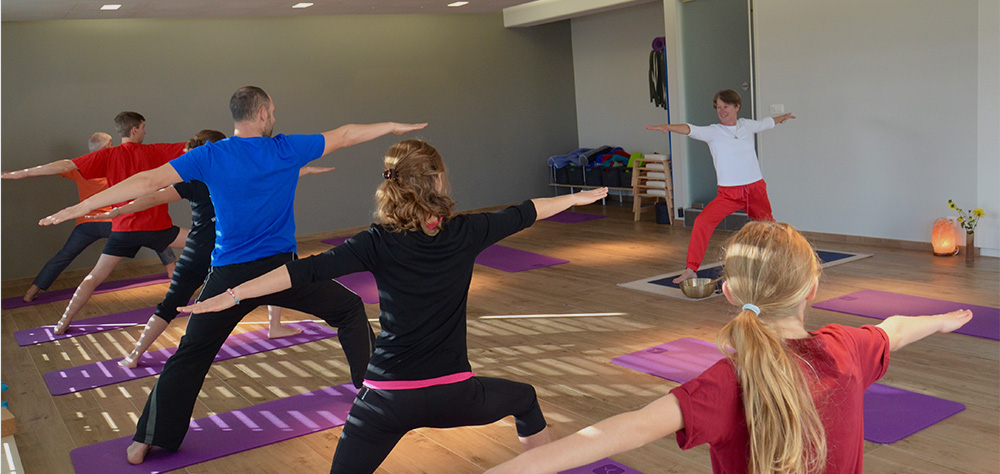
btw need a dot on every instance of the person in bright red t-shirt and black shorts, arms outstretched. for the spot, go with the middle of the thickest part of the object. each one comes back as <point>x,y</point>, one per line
<point>151,228</point>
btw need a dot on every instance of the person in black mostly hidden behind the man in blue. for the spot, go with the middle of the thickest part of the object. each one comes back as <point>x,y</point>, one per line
<point>192,268</point>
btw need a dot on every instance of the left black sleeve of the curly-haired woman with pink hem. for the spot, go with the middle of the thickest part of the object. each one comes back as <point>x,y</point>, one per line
<point>355,255</point>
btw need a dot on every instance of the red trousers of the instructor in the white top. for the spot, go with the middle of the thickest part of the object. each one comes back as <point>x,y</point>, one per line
<point>751,198</point>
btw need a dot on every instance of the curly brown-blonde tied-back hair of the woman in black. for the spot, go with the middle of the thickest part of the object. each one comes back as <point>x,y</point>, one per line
<point>415,189</point>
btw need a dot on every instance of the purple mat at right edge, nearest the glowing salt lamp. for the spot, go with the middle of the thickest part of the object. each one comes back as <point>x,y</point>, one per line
<point>882,304</point>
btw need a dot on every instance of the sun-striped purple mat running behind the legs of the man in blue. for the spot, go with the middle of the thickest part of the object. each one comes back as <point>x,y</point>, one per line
<point>107,372</point>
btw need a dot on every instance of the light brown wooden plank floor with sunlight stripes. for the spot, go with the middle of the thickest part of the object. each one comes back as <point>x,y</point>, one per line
<point>566,358</point>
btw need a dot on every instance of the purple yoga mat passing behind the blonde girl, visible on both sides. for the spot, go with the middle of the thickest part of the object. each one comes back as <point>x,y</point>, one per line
<point>891,414</point>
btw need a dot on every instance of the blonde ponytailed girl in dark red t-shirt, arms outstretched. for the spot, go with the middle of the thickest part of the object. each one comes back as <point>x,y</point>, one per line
<point>785,400</point>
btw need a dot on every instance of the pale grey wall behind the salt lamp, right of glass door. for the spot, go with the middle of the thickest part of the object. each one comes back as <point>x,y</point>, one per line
<point>887,103</point>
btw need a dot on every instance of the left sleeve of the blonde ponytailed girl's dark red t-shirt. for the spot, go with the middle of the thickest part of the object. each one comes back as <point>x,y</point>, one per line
<point>710,405</point>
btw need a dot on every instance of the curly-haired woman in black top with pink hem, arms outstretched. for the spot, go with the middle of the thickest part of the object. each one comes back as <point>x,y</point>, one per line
<point>422,255</point>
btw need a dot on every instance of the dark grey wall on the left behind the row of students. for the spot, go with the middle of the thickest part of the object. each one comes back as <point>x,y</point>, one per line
<point>498,102</point>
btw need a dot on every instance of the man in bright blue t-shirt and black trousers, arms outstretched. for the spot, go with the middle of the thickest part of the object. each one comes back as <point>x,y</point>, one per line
<point>252,178</point>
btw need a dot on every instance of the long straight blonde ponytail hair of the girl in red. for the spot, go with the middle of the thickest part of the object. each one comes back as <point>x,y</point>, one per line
<point>772,266</point>
